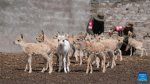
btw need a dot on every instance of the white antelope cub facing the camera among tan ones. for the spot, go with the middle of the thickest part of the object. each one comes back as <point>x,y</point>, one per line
<point>63,47</point>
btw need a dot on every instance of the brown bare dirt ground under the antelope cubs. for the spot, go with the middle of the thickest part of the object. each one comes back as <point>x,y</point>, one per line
<point>126,72</point>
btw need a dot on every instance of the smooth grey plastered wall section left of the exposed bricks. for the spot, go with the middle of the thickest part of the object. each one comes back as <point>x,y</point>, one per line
<point>29,17</point>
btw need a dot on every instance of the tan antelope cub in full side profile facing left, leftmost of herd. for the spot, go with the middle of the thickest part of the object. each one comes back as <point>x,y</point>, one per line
<point>35,49</point>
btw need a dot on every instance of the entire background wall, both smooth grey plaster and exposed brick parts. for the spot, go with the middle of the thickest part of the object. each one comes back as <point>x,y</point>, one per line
<point>29,17</point>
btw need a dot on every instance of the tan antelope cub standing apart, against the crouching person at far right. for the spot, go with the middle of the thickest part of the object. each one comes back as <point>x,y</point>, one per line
<point>136,44</point>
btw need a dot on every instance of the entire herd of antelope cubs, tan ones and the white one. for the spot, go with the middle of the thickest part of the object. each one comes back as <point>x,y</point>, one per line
<point>65,46</point>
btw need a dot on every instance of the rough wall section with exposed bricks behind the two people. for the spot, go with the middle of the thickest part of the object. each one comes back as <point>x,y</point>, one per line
<point>118,13</point>
